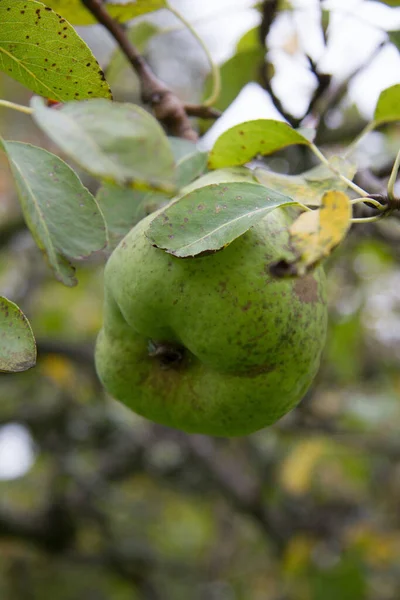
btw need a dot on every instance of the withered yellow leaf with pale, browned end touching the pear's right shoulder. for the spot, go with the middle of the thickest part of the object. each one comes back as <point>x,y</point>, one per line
<point>315,234</point>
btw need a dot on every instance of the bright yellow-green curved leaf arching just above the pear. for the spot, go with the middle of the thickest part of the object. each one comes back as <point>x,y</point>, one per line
<point>241,143</point>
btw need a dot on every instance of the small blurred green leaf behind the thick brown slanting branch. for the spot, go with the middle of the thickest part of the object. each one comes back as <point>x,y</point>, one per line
<point>118,68</point>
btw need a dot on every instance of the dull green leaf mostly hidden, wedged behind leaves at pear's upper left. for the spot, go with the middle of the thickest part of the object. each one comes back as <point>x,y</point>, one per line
<point>123,208</point>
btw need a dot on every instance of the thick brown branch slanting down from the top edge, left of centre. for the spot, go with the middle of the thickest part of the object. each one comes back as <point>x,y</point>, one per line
<point>167,107</point>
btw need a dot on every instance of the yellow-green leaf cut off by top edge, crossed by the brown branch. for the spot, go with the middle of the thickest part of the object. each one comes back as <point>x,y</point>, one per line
<point>77,14</point>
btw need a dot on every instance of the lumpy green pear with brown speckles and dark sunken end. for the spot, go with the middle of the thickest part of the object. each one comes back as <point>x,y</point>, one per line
<point>213,344</point>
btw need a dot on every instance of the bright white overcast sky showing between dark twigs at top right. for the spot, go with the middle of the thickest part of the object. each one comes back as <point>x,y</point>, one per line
<point>357,28</point>
